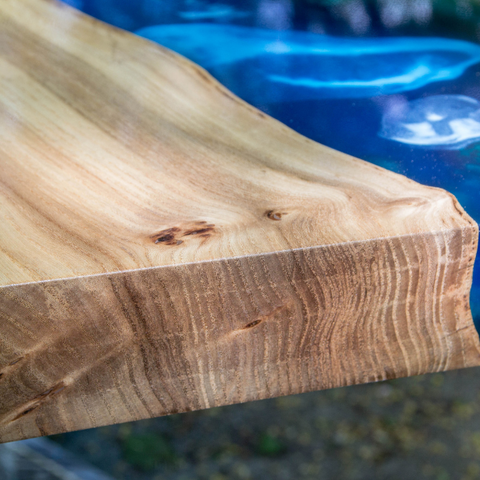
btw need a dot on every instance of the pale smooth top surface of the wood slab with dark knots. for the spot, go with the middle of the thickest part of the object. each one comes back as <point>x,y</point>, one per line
<point>118,154</point>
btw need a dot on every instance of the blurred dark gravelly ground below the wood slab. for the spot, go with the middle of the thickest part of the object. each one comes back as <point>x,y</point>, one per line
<point>422,427</point>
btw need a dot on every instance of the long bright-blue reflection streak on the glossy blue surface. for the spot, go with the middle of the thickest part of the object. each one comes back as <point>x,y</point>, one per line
<point>264,65</point>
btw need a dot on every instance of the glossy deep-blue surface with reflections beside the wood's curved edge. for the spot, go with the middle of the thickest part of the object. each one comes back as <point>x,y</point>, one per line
<point>398,88</point>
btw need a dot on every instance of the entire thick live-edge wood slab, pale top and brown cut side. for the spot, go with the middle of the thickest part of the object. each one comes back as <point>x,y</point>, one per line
<point>166,247</point>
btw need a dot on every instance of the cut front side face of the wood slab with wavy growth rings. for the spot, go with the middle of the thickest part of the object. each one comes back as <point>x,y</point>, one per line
<point>160,341</point>
